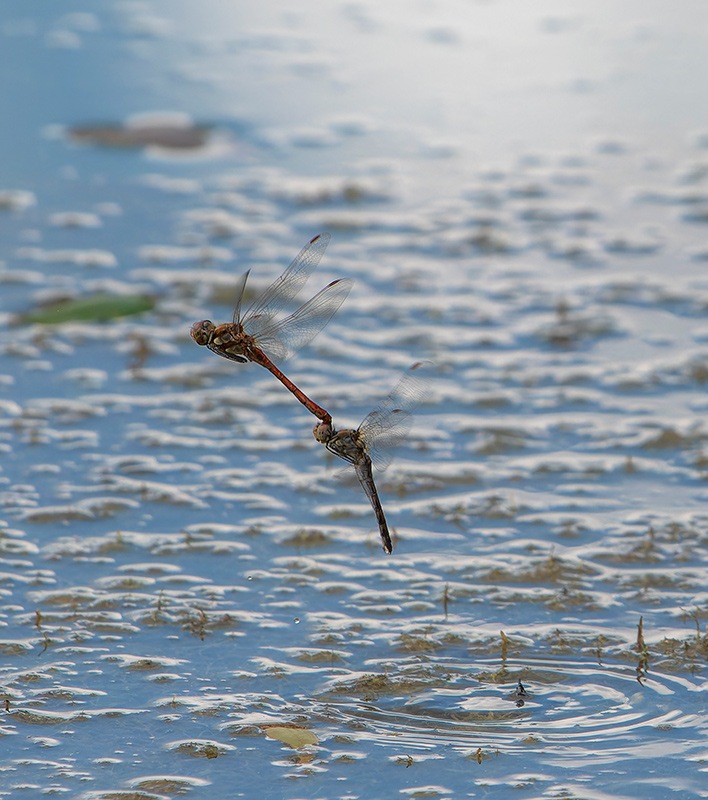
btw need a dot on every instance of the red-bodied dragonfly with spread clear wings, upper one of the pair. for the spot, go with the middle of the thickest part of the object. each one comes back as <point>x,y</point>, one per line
<point>262,335</point>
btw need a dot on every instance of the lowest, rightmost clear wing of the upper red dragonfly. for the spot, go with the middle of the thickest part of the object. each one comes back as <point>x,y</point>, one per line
<point>282,338</point>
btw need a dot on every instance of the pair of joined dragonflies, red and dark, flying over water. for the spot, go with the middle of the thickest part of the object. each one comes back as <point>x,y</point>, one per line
<point>261,335</point>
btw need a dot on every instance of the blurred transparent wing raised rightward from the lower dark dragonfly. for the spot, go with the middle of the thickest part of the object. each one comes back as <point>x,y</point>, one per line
<point>389,423</point>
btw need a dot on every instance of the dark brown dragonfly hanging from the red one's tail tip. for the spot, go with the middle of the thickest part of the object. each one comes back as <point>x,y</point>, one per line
<point>372,442</point>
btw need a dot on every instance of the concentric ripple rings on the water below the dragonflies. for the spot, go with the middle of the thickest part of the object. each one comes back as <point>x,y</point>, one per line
<point>571,709</point>
